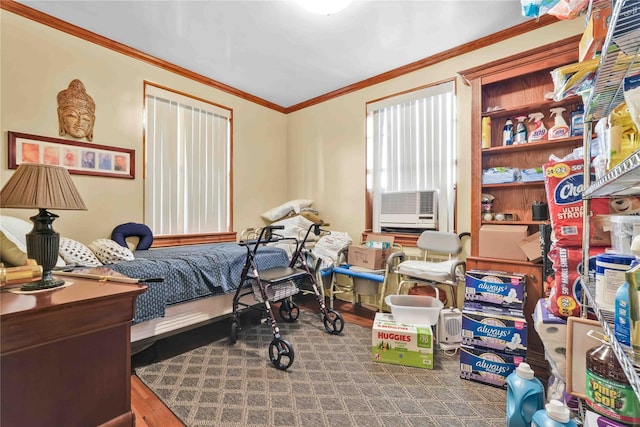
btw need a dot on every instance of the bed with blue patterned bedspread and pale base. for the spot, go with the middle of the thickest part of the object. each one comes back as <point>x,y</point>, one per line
<point>199,282</point>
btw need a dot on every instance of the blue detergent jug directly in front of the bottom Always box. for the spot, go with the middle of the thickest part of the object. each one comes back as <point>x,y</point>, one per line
<point>525,396</point>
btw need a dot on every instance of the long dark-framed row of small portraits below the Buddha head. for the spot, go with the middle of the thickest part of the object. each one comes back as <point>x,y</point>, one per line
<point>79,158</point>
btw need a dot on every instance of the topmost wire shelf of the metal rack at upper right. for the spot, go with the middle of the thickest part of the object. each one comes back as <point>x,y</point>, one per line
<point>620,58</point>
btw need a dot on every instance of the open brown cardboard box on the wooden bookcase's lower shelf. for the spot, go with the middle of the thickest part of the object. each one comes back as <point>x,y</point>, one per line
<point>502,241</point>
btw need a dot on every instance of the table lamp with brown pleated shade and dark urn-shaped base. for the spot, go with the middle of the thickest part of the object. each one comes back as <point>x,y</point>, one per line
<point>42,187</point>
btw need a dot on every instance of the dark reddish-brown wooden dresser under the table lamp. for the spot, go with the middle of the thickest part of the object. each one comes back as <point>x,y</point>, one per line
<point>65,355</point>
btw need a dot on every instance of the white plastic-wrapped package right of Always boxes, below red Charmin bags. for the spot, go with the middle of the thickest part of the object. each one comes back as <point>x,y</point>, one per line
<point>553,333</point>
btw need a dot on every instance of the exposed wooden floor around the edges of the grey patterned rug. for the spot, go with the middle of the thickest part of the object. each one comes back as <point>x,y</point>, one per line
<point>151,412</point>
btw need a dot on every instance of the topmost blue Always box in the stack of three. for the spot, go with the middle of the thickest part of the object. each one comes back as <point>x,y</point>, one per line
<point>497,288</point>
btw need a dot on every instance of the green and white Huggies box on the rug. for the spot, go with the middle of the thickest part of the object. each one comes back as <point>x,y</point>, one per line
<point>400,344</point>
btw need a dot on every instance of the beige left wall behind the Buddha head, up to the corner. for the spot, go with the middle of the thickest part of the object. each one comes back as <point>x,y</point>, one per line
<point>37,62</point>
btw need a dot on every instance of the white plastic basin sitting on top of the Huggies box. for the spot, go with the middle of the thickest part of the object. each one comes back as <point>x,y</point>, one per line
<point>414,309</point>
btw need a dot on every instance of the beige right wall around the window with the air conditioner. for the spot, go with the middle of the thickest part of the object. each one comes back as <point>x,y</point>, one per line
<point>329,139</point>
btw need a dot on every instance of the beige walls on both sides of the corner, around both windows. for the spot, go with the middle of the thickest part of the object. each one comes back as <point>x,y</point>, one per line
<point>316,153</point>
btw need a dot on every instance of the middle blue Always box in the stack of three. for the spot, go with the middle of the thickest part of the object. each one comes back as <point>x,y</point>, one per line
<point>502,332</point>
